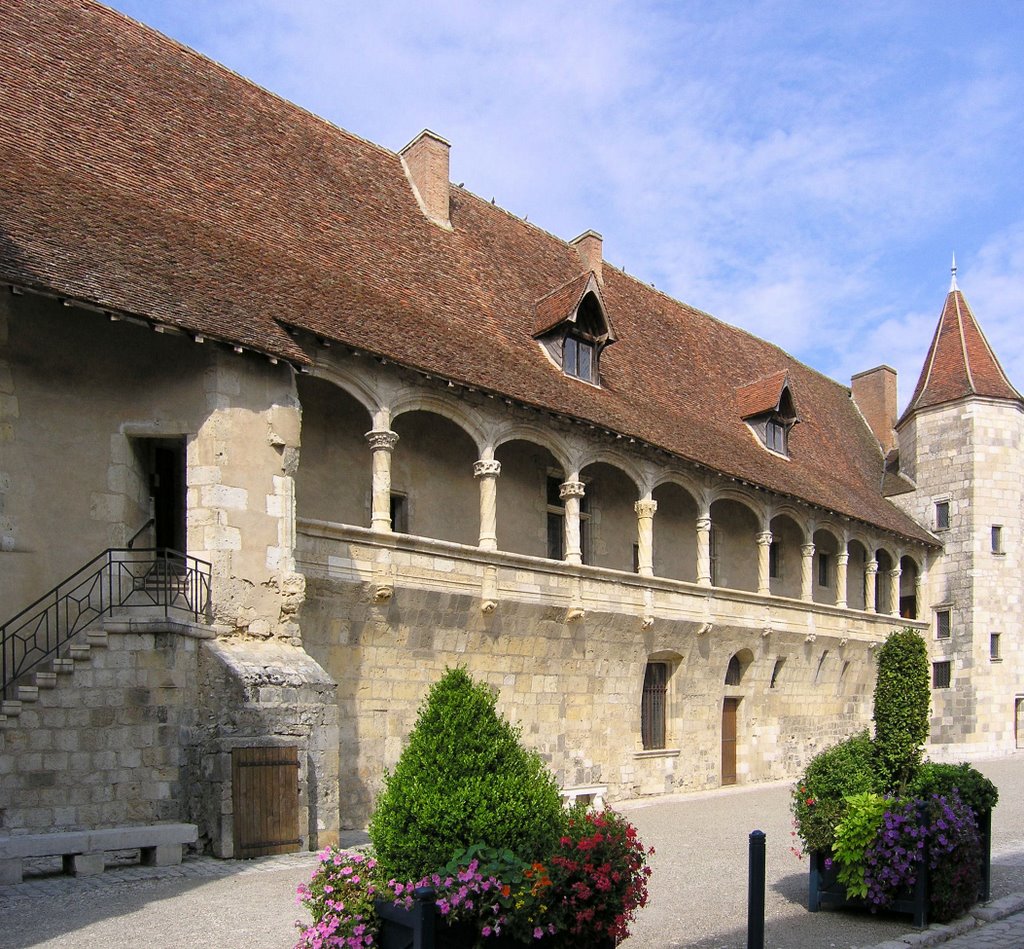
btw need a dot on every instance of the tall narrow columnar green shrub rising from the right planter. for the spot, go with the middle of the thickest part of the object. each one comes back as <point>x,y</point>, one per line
<point>903,698</point>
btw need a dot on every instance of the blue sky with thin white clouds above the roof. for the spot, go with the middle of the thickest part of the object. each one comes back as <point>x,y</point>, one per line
<point>801,169</point>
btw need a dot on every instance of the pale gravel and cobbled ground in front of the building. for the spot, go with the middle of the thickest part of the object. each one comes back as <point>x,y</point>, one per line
<point>699,891</point>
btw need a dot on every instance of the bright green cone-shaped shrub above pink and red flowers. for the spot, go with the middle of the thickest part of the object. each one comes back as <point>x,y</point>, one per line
<point>464,779</point>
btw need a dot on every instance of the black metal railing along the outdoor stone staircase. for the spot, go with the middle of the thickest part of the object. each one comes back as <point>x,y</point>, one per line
<point>116,580</point>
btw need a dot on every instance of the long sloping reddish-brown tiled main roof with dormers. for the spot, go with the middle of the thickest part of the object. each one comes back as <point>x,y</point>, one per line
<point>140,177</point>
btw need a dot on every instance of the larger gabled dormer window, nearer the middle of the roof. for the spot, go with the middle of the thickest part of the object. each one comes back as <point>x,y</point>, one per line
<point>574,328</point>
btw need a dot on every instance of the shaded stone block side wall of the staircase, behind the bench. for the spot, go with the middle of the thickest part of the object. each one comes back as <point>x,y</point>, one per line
<point>106,745</point>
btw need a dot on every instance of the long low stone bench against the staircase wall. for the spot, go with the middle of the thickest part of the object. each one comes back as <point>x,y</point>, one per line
<point>84,851</point>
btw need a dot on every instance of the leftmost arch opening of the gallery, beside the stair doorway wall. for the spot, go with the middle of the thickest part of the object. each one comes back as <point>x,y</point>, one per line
<point>334,480</point>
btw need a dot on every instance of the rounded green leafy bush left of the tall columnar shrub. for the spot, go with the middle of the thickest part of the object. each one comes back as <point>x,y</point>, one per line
<point>820,799</point>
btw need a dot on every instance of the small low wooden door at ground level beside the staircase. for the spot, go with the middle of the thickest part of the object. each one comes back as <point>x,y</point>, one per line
<point>266,795</point>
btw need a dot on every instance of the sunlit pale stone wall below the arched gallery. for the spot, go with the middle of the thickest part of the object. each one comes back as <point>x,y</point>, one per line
<point>575,684</point>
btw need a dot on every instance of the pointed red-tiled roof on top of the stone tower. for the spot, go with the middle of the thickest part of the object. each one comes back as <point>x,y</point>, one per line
<point>960,362</point>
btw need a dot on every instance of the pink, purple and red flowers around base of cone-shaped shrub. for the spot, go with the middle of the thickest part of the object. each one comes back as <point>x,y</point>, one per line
<point>584,895</point>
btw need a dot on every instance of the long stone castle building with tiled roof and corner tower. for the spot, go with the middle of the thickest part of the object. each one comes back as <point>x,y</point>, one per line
<point>385,427</point>
